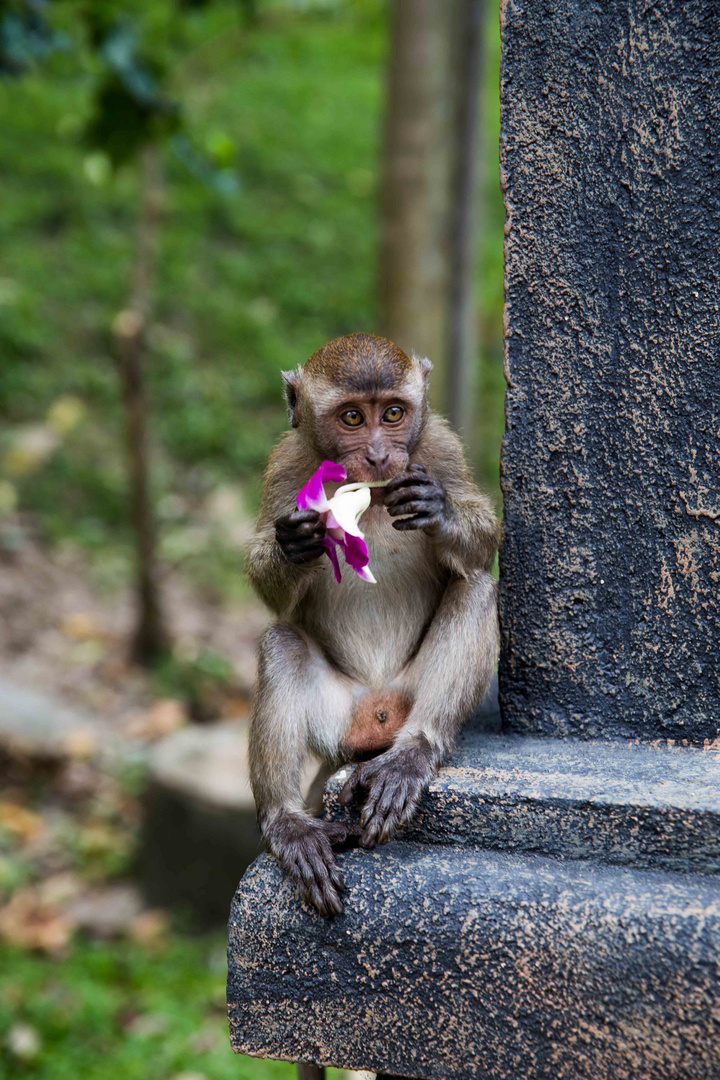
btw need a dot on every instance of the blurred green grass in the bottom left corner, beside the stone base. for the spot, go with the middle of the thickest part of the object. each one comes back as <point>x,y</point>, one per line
<point>119,1012</point>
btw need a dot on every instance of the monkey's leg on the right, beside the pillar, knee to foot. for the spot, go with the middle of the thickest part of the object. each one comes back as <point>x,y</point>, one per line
<point>447,679</point>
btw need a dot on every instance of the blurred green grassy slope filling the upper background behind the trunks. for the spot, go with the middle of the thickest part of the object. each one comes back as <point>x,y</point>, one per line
<point>248,285</point>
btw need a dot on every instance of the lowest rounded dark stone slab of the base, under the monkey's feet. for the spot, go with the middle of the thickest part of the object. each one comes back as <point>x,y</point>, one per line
<point>457,964</point>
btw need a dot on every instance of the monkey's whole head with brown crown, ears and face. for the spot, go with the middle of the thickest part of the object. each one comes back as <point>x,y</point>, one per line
<point>362,402</point>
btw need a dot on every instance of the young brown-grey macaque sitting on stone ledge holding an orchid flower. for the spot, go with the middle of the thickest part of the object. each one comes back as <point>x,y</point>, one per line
<point>382,674</point>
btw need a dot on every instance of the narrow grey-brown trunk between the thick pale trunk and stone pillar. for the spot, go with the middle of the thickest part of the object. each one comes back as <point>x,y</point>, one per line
<point>463,345</point>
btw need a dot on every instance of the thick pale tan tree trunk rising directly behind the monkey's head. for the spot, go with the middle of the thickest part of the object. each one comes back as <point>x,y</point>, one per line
<point>414,271</point>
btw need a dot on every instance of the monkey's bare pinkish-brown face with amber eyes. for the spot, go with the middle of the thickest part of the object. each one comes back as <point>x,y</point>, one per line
<point>371,435</point>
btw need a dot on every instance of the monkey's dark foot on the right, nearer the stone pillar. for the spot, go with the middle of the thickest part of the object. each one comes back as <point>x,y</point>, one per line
<point>395,782</point>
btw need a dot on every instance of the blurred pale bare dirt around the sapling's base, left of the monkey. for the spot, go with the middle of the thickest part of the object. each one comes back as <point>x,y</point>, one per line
<point>61,636</point>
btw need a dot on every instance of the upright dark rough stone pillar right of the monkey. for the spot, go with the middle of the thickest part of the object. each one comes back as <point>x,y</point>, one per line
<point>610,572</point>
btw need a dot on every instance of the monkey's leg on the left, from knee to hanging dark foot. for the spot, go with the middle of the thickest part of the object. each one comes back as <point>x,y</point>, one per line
<point>300,700</point>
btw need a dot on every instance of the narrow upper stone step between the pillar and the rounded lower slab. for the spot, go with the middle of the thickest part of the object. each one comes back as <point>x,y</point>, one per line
<point>632,805</point>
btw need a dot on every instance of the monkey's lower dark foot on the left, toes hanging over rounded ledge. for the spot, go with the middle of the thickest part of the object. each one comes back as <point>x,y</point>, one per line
<point>305,847</point>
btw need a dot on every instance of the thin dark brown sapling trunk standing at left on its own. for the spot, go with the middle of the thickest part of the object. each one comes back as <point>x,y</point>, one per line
<point>151,639</point>
